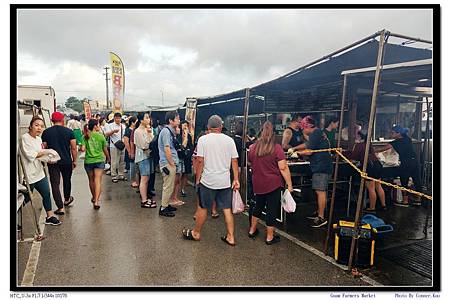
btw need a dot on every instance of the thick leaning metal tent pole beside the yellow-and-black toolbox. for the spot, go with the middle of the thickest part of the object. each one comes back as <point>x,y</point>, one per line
<point>368,141</point>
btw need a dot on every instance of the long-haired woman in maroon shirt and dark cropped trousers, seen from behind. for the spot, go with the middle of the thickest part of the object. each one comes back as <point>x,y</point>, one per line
<point>270,174</point>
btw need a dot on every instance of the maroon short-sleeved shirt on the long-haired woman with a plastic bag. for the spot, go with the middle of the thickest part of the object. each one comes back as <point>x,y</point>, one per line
<point>266,175</point>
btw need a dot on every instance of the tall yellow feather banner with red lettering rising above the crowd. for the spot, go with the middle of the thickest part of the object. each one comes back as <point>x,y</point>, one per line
<point>118,81</point>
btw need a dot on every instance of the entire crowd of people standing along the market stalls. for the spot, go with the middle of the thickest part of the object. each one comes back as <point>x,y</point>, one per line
<point>141,147</point>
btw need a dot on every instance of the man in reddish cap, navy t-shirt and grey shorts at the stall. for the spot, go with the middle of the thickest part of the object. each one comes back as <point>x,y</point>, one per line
<point>321,166</point>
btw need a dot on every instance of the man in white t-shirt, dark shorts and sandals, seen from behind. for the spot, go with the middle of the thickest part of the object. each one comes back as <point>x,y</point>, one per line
<point>216,152</point>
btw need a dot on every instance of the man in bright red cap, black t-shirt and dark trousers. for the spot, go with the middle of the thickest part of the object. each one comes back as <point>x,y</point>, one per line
<point>62,140</point>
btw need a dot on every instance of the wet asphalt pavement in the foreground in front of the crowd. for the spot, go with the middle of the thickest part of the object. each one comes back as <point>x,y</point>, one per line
<point>123,244</point>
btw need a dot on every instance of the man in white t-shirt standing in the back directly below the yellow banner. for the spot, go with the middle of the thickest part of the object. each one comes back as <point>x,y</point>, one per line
<point>116,131</point>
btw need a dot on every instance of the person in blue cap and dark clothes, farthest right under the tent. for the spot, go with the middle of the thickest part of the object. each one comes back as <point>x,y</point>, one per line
<point>409,164</point>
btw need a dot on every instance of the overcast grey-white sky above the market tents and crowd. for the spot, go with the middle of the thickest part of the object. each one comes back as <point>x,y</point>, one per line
<point>183,53</point>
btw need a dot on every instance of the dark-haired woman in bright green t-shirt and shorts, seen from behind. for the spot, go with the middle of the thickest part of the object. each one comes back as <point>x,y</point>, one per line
<point>94,143</point>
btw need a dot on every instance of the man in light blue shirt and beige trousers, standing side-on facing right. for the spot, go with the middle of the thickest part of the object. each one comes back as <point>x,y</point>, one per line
<point>168,158</point>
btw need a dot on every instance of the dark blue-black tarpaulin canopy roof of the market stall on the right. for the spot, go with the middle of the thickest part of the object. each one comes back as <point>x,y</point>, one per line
<point>322,80</point>
